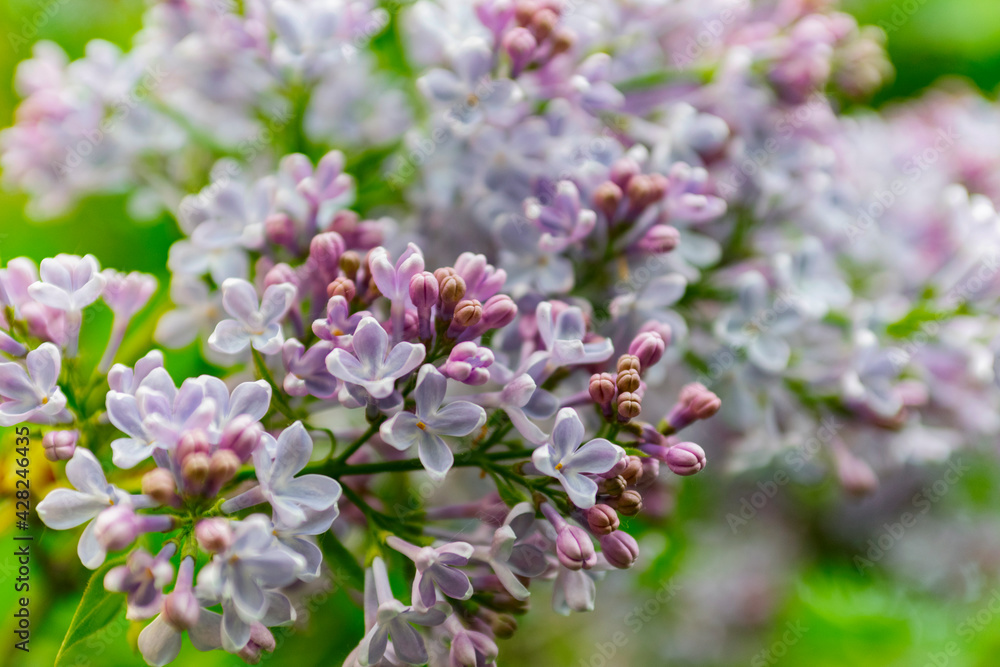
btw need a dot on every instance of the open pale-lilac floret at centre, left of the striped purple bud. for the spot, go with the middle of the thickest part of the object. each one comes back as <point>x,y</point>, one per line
<point>373,365</point>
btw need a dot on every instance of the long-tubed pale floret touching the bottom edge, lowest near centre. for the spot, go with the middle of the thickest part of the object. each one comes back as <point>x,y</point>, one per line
<point>393,620</point>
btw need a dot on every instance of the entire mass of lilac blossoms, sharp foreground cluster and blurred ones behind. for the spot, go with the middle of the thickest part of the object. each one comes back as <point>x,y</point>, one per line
<point>537,239</point>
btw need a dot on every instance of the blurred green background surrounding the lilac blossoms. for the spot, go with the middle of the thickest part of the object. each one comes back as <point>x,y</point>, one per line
<point>783,588</point>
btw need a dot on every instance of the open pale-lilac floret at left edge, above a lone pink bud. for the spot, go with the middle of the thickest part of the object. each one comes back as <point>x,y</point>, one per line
<point>33,394</point>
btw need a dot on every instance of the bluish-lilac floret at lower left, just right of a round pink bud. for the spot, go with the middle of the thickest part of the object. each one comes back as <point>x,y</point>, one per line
<point>243,578</point>
